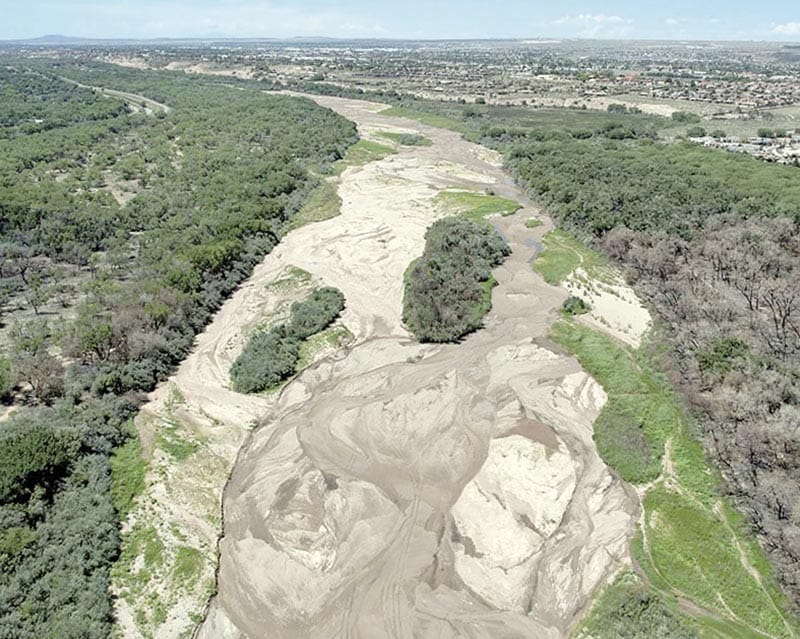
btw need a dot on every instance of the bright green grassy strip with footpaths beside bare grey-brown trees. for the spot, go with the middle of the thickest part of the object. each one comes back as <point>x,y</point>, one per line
<point>693,547</point>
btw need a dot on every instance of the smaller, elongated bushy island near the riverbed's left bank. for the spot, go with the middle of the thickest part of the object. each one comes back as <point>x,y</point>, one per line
<point>271,356</point>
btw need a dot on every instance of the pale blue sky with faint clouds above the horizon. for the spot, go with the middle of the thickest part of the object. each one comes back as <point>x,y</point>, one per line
<point>681,19</point>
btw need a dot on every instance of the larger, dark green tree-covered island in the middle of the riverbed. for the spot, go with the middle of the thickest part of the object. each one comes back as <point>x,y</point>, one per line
<point>448,290</point>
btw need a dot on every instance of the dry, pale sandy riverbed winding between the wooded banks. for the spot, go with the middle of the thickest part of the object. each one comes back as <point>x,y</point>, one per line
<point>400,490</point>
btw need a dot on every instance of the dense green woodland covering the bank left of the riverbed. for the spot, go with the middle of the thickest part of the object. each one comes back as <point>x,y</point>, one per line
<point>140,224</point>
